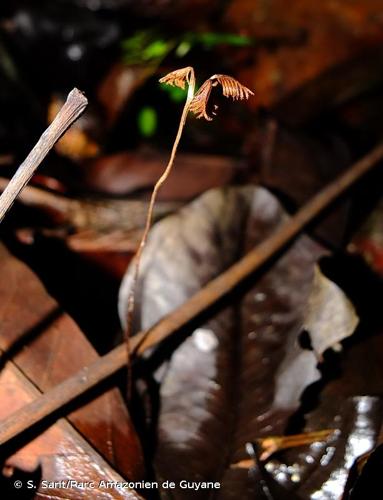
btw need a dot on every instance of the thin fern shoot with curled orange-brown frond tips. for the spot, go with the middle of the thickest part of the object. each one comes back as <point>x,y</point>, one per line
<point>196,103</point>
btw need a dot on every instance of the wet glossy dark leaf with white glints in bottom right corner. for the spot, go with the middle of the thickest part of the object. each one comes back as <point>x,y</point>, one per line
<point>320,471</point>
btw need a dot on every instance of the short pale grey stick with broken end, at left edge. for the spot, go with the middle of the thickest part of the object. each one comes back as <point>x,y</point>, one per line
<point>75,104</point>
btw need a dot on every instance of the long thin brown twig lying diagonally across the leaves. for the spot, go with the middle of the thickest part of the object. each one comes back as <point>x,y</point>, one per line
<point>108,364</point>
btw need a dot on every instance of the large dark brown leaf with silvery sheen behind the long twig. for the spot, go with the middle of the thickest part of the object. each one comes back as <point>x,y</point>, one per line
<point>240,375</point>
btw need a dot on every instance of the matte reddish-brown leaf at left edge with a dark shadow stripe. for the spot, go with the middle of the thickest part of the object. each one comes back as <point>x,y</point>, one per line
<point>48,347</point>
